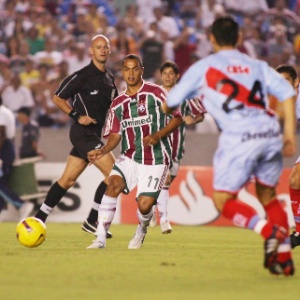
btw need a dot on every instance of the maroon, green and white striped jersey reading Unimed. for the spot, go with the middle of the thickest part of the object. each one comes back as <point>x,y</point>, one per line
<point>134,118</point>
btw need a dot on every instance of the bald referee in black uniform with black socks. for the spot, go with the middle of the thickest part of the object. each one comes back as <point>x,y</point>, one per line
<point>92,90</point>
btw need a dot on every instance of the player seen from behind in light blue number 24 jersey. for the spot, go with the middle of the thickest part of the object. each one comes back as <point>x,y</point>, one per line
<point>235,89</point>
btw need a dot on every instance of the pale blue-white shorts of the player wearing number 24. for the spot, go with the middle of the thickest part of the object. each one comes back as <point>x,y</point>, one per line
<point>238,159</point>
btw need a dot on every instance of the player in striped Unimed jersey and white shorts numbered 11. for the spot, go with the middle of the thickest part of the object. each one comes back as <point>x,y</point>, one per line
<point>136,119</point>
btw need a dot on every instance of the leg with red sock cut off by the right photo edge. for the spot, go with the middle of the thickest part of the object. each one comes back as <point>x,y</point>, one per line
<point>294,185</point>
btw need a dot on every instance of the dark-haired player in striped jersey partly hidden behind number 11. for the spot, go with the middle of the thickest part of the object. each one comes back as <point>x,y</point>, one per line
<point>192,112</point>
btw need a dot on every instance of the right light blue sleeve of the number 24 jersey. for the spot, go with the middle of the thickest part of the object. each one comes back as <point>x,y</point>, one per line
<point>278,86</point>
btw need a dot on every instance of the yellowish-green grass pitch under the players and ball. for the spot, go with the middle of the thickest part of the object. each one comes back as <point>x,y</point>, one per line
<point>191,263</point>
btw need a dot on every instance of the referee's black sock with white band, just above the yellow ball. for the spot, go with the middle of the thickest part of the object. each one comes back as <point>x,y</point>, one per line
<point>53,197</point>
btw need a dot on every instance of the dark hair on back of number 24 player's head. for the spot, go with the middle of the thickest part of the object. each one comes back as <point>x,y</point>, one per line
<point>226,31</point>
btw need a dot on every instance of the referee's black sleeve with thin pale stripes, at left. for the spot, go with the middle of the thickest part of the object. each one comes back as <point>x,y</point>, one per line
<point>70,86</point>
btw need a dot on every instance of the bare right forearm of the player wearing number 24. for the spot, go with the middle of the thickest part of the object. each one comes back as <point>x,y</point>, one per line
<point>289,129</point>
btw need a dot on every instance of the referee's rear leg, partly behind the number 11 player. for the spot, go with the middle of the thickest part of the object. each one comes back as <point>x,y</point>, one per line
<point>105,165</point>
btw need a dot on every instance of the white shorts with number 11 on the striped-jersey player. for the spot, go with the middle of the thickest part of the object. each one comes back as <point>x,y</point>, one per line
<point>149,179</point>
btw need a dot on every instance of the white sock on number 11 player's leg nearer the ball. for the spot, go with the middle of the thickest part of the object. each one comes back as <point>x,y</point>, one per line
<point>106,213</point>
